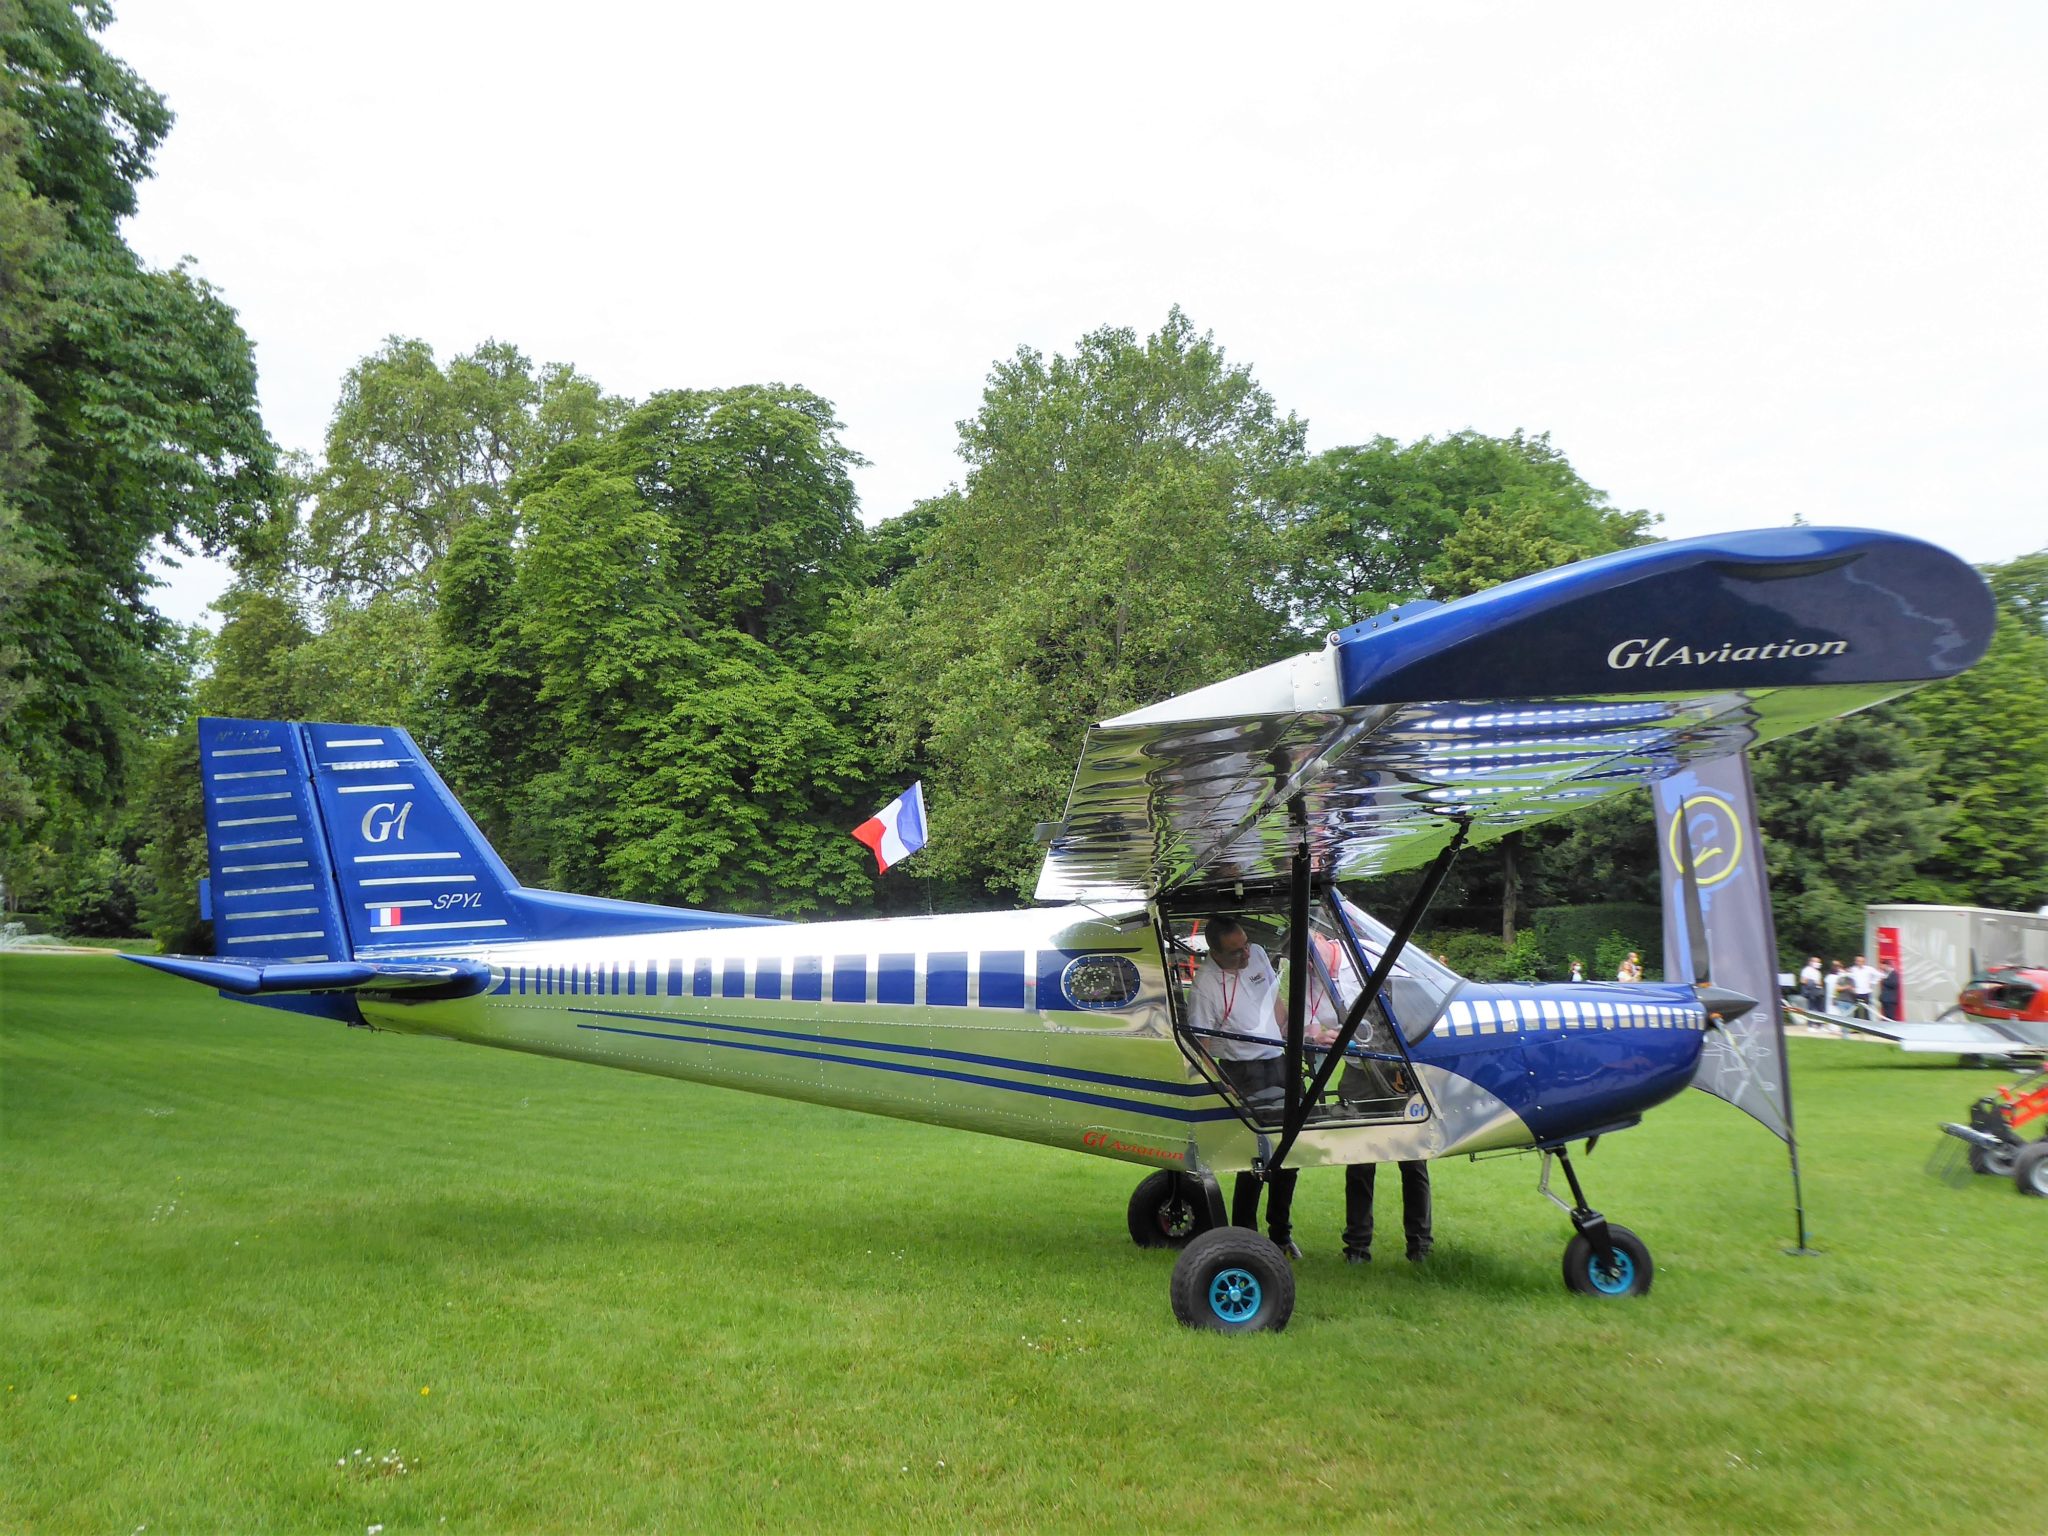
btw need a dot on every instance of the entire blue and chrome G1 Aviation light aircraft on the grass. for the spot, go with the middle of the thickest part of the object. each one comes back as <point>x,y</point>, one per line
<point>347,884</point>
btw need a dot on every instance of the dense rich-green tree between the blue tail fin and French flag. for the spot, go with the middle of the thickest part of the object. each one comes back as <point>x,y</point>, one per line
<point>695,734</point>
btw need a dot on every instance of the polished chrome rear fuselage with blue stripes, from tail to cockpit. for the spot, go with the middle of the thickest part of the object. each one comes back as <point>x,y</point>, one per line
<point>951,1021</point>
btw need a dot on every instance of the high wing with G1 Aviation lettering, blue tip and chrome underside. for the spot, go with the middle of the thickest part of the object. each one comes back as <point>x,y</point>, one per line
<point>1510,708</point>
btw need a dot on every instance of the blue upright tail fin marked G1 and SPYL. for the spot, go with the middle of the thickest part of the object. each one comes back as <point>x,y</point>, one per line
<point>333,843</point>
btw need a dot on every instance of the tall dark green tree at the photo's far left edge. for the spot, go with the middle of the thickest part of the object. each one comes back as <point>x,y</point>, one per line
<point>144,409</point>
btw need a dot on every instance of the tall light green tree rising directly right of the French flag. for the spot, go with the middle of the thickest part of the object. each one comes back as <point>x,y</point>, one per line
<point>1117,542</point>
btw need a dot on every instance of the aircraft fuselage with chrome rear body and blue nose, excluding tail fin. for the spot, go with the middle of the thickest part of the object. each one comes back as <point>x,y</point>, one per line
<point>964,1021</point>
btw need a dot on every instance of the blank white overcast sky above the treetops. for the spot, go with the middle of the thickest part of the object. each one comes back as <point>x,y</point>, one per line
<point>1742,263</point>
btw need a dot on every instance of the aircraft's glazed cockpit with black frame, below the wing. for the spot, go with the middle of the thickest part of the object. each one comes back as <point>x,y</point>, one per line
<point>1232,976</point>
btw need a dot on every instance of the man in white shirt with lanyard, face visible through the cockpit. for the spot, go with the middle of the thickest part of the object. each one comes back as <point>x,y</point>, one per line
<point>1234,1017</point>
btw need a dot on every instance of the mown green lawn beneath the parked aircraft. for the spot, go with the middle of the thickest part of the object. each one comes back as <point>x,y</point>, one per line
<point>255,1265</point>
